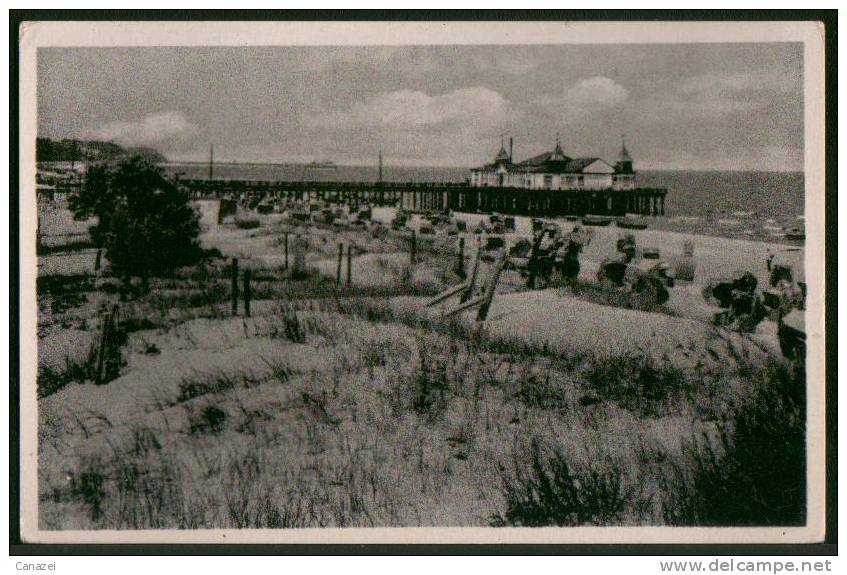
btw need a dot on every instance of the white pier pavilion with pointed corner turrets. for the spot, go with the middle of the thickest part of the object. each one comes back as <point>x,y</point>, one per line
<point>556,171</point>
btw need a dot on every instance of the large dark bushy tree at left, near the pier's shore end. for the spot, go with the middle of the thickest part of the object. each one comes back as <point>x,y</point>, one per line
<point>145,222</point>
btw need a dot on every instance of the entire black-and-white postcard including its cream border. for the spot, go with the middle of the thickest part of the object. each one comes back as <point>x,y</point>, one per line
<point>318,281</point>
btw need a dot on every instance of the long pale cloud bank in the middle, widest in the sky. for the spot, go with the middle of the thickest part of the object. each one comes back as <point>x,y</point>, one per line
<point>476,107</point>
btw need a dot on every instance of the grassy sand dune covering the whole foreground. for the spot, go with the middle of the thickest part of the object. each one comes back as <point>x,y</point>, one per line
<point>347,407</point>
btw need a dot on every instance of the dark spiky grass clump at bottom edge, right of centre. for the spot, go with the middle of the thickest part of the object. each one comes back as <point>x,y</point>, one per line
<point>552,492</point>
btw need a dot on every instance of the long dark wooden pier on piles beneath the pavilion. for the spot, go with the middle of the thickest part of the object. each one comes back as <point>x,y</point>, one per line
<point>435,197</point>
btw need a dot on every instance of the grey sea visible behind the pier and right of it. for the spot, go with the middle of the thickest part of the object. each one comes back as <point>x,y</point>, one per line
<point>736,203</point>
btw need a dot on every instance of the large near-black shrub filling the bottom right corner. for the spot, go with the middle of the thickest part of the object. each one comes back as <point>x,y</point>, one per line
<point>754,473</point>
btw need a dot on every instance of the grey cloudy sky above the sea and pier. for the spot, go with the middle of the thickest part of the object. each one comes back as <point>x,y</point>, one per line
<point>682,106</point>
